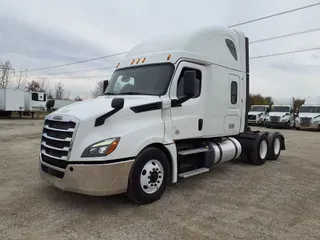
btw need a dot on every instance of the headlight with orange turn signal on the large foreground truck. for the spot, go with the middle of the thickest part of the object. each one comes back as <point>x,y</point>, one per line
<point>102,148</point>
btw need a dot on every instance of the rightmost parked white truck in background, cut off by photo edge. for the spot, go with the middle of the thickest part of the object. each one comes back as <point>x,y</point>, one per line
<point>309,114</point>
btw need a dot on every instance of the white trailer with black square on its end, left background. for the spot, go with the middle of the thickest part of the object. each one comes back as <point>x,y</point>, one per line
<point>35,102</point>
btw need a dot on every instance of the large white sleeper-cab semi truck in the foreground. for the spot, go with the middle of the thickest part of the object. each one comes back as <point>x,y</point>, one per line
<point>175,106</point>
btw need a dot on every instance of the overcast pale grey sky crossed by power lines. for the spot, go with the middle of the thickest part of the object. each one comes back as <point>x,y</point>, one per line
<point>37,33</point>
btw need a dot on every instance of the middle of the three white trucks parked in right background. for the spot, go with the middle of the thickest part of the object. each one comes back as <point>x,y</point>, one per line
<point>281,113</point>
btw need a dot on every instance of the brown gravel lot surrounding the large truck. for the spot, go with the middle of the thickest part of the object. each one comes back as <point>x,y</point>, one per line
<point>279,200</point>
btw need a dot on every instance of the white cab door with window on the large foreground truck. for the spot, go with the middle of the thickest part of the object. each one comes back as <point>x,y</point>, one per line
<point>188,117</point>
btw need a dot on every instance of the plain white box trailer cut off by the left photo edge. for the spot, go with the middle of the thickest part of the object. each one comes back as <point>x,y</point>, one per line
<point>11,100</point>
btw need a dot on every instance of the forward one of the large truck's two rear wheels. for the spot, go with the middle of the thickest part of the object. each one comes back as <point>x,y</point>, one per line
<point>258,155</point>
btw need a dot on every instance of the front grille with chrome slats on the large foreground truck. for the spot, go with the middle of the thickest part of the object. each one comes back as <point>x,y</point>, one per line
<point>56,142</point>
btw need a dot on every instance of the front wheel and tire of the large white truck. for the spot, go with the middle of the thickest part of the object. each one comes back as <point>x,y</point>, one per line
<point>151,163</point>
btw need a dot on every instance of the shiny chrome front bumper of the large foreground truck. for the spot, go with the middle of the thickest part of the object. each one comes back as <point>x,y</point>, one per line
<point>90,179</point>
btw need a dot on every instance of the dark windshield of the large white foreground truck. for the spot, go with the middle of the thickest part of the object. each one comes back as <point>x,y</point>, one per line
<point>142,80</point>
